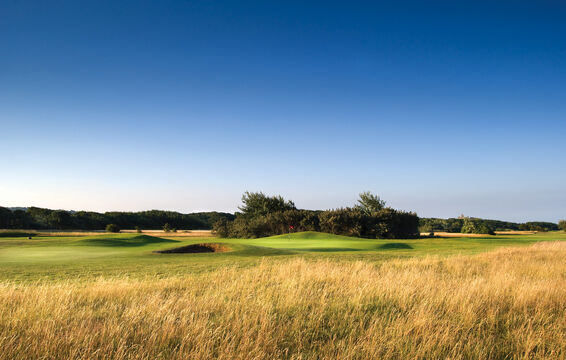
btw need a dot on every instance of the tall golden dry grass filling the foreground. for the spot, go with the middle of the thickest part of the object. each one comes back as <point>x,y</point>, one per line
<point>508,304</point>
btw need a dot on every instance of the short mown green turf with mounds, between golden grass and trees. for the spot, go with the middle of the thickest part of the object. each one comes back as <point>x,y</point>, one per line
<point>131,255</point>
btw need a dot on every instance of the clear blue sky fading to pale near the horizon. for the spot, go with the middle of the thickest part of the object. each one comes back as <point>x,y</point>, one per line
<point>439,107</point>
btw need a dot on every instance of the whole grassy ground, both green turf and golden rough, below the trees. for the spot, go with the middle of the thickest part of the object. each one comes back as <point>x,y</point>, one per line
<point>297,296</point>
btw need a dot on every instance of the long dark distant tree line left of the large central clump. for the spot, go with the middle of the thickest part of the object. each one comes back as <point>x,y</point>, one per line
<point>38,218</point>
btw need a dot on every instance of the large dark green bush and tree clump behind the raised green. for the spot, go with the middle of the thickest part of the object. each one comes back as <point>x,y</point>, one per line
<point>265,216</point>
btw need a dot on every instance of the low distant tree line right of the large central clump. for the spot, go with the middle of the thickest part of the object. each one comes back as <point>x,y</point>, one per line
<point>480,226</point>
